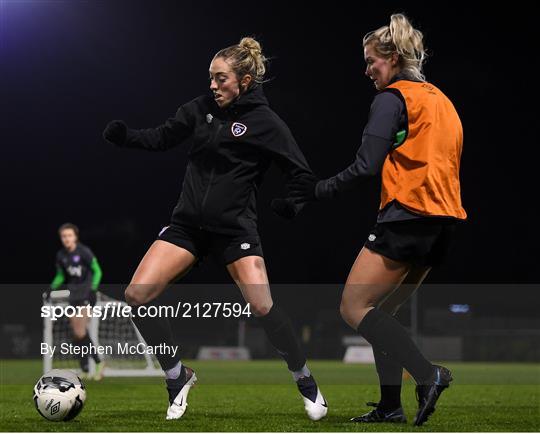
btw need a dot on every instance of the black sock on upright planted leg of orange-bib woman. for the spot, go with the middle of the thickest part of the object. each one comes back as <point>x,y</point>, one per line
<point>390,376</point>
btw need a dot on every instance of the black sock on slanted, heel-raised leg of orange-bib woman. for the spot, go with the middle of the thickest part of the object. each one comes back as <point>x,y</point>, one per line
<point>383,331</point>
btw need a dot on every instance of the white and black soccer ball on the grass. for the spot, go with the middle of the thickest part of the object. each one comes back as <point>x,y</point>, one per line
<point>59,395</point>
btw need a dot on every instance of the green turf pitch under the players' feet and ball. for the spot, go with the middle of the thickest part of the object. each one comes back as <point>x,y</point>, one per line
<point>260,396</point>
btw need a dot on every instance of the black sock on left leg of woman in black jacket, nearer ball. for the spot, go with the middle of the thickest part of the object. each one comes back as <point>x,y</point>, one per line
<point>156,331</point>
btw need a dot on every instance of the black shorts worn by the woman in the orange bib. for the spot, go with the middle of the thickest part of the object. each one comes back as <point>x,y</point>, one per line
<point>424,242</point>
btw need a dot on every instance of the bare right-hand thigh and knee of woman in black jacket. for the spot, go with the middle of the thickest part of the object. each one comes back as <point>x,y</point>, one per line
<point>249,273</point>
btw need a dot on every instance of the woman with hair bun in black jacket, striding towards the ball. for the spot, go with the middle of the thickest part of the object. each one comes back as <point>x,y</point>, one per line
<point>235,136</point>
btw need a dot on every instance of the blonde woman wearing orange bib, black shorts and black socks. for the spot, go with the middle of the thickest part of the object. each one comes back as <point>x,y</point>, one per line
<point>414,139</point>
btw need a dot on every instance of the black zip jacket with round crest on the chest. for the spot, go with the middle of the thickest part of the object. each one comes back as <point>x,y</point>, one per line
<point>231,149</point>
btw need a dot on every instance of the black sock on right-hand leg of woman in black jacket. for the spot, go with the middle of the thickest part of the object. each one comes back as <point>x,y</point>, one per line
<point>280,332</point>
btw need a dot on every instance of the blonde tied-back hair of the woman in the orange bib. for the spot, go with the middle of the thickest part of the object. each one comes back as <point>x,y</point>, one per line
<point>402,38</point>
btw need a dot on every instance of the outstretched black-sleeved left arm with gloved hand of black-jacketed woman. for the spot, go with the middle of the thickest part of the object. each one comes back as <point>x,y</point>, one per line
<point>174,131</point>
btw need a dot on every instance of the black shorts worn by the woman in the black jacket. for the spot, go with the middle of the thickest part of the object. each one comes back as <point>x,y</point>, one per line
<point>224,248</point>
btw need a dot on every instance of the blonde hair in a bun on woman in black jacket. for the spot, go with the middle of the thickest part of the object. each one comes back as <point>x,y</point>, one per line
<point>246,57</point>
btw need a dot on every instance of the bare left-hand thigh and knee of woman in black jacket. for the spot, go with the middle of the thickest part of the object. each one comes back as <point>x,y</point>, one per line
<point>162,264</point>
